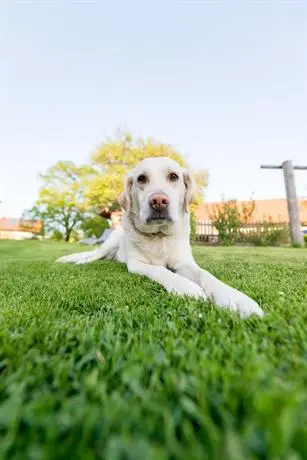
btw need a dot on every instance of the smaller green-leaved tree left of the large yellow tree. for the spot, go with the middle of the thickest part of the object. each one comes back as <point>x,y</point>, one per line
<point>61,203</point>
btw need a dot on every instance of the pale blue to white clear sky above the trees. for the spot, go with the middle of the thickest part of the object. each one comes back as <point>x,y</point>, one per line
<point>223,82</point>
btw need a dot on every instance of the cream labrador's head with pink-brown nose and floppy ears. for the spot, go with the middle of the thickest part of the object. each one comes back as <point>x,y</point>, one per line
<point>157,193</point>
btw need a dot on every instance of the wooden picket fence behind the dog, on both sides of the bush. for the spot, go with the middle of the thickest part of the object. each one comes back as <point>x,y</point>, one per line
<point>207,233</point>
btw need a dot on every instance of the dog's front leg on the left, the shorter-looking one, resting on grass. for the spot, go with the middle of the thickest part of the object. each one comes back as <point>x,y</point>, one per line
<point>170,281</point>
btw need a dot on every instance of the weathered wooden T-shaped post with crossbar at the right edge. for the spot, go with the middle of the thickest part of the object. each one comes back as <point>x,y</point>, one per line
<point>293,209</point>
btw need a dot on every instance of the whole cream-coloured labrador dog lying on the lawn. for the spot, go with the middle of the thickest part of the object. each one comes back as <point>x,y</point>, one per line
<point>154,238</point>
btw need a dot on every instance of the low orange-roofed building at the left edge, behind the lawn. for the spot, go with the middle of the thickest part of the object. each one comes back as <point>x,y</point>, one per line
<point>19,229</point>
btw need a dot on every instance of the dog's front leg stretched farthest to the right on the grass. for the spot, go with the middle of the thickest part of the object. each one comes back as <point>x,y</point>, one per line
<point>225,296</point>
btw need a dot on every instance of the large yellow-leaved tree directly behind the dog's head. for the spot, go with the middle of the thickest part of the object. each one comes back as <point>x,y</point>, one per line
<point>115,157</point>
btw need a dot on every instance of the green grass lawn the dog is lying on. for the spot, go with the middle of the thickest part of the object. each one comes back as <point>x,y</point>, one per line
<point>98,364</point>
